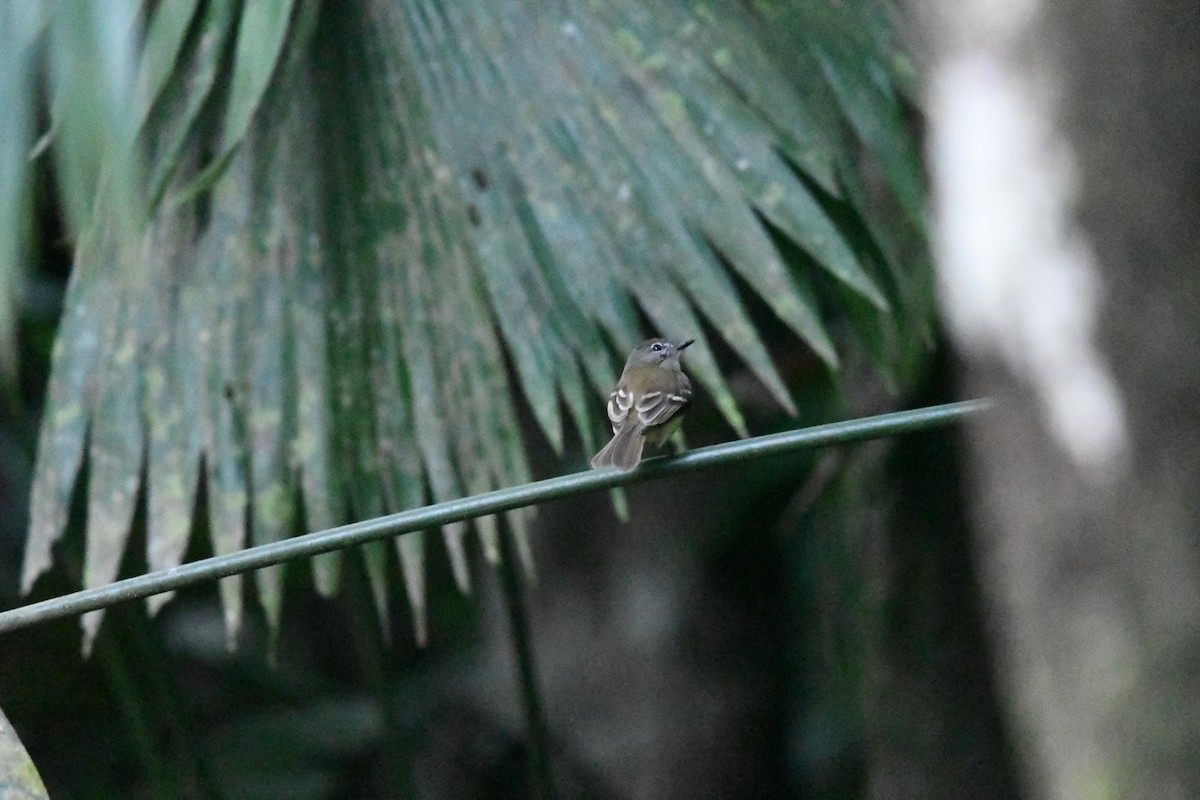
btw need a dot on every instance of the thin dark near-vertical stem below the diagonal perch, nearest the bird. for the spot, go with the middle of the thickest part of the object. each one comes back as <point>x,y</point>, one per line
<point>541,774</point>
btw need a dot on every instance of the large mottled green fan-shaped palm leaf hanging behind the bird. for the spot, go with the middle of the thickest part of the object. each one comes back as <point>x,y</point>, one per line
<point>407,196</point>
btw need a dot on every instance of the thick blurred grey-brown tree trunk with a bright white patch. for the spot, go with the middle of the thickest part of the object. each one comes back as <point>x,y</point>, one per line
<point>1066,159</point>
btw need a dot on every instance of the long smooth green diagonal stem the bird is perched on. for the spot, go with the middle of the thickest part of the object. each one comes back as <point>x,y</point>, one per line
<point>255,558</point>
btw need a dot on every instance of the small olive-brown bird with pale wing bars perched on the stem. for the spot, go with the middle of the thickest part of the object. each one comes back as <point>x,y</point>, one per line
<point>649,404</point>
